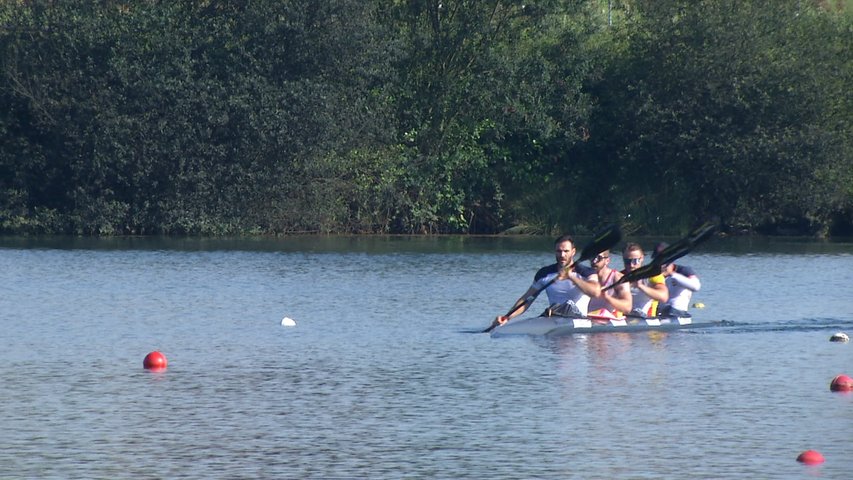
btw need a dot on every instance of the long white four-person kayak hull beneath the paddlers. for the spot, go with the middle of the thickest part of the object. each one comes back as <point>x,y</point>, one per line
<point>556,326</point>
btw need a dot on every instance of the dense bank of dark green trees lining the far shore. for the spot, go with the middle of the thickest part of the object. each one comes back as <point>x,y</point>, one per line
<point>271,116</point>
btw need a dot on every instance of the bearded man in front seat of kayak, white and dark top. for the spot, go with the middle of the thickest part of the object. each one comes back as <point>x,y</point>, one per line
<point>571,290</point>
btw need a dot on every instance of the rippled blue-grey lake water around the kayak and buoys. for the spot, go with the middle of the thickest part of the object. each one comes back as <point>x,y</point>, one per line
<point>381,377</point>
